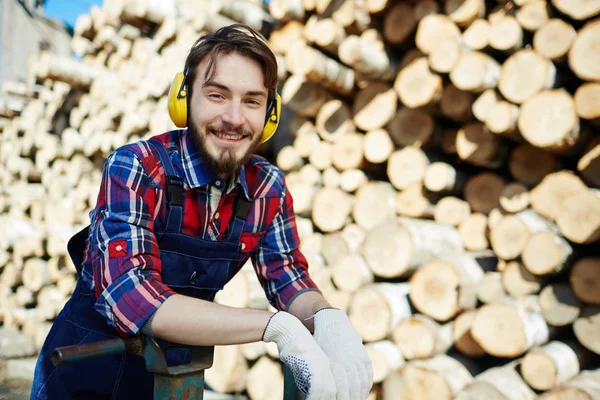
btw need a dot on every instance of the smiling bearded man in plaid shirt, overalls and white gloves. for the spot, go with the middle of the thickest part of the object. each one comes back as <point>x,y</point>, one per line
<point>177,216</point>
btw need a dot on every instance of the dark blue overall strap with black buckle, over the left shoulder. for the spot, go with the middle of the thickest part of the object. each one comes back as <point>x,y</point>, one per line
<point>174,189</point>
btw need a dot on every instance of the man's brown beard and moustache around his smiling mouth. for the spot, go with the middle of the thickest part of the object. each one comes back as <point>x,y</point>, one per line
<point>226,162</point>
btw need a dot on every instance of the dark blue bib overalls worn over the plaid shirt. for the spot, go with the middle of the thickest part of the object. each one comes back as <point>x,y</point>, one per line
<point>191,266</point>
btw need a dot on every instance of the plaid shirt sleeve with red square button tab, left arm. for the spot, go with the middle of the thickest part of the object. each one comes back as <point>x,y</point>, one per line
<point>126,263</point>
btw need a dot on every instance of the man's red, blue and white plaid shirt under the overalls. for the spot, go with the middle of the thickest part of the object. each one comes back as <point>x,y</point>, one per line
<point>122,261</point>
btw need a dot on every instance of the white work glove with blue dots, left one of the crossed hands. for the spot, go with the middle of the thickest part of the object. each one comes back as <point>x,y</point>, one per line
<point>299,351</point>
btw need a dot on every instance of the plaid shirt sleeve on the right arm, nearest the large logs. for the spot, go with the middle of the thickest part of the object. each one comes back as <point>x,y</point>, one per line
<point>281,267</point>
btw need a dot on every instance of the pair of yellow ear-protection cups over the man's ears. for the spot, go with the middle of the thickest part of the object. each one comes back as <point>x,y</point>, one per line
<point>178,107</point>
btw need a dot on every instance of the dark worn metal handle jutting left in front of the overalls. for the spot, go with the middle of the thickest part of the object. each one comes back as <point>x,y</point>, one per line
<point>76,353</point>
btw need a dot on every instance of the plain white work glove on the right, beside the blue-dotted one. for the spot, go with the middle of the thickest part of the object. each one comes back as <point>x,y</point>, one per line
<point>352,369</point>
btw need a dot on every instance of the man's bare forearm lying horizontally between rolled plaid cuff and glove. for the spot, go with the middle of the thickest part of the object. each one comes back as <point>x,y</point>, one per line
<point>186,320</point>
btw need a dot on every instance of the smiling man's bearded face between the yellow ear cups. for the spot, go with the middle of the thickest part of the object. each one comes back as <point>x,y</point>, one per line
<point>227,112</point>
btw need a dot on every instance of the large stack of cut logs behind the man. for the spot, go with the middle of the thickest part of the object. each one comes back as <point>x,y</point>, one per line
<point>444,164</point>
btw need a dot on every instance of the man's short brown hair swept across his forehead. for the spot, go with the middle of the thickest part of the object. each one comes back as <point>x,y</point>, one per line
<point>236,38</point>
